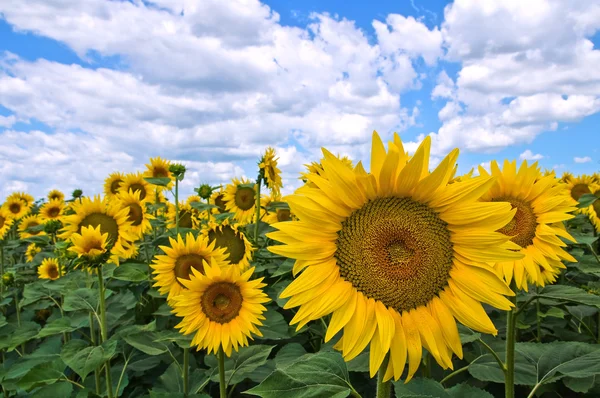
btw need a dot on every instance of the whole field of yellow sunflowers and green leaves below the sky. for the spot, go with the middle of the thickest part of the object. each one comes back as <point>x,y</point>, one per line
<point>394,278</point>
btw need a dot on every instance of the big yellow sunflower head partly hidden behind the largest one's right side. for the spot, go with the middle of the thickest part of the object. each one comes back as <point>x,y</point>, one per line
<point>540,202</point>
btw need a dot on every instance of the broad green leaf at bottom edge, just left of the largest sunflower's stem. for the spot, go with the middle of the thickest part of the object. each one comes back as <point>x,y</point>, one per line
<point>323,374</point>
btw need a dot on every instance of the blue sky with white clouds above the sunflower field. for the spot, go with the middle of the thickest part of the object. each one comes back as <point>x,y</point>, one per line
<point>88,87</point>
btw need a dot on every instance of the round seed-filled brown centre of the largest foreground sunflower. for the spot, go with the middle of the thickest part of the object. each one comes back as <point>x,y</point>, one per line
<point>395,250</point>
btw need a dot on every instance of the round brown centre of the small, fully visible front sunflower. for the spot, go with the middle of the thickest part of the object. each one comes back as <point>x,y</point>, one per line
<point>222,302</point>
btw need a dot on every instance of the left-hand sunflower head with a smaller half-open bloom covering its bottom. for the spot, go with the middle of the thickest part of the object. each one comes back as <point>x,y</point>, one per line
<point>111,218</point>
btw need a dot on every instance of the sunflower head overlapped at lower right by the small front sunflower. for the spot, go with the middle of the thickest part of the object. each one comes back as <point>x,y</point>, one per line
<point>179,258</point>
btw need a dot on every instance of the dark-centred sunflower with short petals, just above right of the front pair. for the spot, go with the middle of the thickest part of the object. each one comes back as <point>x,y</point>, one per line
<point>229,237</point>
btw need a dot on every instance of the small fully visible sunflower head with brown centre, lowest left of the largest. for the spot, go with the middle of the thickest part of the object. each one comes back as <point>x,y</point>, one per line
<point>223,306</point>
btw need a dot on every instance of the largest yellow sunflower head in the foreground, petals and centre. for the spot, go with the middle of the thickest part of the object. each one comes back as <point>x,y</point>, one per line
<point>395,255</point>
